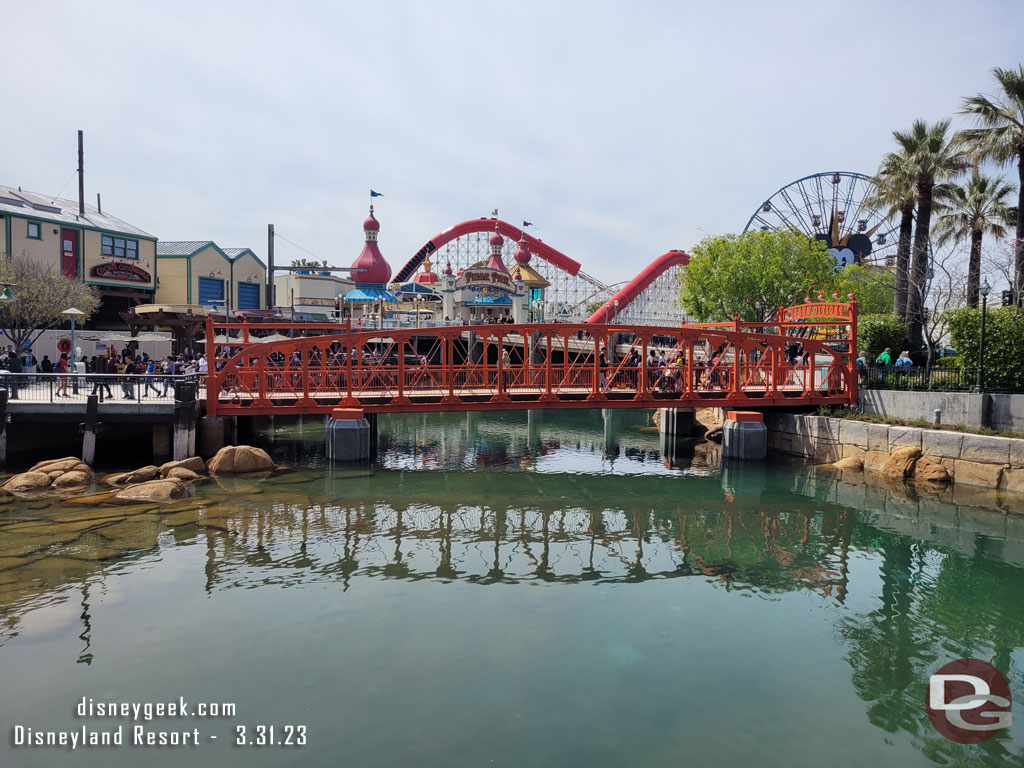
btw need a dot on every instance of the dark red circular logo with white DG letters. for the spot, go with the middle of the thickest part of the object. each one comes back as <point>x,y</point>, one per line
<point>969,701</point>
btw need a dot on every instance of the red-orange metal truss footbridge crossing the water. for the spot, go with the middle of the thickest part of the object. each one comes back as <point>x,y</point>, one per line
<point>807,357</point>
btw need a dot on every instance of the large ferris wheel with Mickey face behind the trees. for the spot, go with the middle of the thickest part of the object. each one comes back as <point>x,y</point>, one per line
<point>835,208</point>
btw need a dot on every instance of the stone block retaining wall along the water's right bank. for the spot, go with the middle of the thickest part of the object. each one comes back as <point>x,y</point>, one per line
<point>970,459</point>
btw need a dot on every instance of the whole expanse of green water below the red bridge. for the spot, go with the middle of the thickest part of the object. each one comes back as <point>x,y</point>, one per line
<point>514,590</point>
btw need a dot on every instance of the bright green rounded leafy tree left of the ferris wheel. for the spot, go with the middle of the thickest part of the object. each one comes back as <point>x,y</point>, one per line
<point>735,274</point>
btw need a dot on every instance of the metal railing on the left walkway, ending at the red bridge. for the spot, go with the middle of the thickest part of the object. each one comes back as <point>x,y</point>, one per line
<point>69,389</point>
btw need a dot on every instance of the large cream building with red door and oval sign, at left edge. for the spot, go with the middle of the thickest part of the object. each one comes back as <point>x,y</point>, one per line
<point>86,244</point>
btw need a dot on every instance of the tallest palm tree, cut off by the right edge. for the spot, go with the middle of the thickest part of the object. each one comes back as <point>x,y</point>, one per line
<point>1001,138</point>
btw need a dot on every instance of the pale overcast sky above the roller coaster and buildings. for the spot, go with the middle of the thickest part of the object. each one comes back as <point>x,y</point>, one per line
<point>621,130</point>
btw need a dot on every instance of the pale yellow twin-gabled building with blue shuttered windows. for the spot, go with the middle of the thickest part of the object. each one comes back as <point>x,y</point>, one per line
<point>202,273</point>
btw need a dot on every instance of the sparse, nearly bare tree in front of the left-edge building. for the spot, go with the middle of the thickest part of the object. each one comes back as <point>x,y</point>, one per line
<point>40,296</point>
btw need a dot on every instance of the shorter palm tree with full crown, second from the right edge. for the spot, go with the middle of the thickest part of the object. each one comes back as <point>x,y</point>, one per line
<point>975,210</point>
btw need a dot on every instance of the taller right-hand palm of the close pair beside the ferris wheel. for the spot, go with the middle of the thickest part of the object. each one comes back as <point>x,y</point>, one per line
<point>933,159</point>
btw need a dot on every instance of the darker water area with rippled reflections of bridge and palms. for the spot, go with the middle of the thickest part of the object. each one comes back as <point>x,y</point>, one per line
<point>523,500</point>
